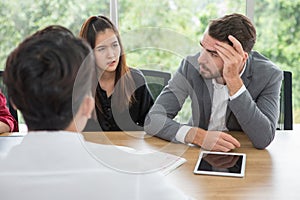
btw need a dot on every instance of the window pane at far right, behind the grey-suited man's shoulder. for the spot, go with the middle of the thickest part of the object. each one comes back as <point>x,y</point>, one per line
<point>278,33</point>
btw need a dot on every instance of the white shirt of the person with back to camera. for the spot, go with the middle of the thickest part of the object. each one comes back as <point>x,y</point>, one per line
<point>61,165</point>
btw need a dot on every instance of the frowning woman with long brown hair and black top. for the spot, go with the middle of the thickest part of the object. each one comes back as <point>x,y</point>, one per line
<point>122,97</point>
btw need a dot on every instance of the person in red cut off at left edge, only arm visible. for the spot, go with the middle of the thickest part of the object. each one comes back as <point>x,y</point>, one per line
<point>7,121</point>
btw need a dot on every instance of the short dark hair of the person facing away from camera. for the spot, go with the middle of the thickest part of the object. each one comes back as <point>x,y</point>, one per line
<point>40,75</point>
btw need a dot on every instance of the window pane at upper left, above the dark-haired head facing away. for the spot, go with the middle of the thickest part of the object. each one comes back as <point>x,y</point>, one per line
<point>19,19</point>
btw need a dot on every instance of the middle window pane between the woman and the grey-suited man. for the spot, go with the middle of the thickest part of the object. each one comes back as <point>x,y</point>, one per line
<point>158,34</point>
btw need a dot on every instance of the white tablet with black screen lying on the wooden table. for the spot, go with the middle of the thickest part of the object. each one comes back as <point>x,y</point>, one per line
<point>221,164</point>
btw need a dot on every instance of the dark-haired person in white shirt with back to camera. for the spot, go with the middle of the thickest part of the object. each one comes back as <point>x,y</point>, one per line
<point>47,84</point>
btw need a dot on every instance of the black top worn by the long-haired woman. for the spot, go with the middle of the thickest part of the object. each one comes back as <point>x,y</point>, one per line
<point>129,119</point>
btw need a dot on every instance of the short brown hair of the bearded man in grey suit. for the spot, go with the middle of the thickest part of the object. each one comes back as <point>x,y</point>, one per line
<point>236,25</point>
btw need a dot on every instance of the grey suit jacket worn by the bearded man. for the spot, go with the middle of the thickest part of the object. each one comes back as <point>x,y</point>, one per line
<point>255,111</point>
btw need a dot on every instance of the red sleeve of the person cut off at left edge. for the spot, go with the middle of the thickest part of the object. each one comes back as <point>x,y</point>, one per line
<point>5,115</point>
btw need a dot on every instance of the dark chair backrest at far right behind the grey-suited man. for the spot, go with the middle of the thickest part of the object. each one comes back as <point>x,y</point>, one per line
<point>285,121</point>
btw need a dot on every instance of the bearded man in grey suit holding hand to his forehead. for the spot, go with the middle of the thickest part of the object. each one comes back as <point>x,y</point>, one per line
<point>232,88</point>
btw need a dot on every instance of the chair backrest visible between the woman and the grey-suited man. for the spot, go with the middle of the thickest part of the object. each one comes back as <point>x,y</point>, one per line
<point>156,80</point>
